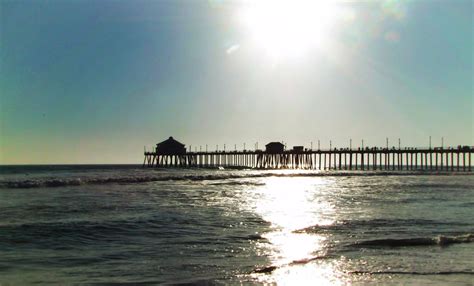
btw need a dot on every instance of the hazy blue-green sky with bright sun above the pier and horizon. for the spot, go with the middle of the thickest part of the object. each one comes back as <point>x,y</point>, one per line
<point>95,81</point>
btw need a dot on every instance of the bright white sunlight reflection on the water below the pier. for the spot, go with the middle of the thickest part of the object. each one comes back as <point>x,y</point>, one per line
<point>291,204</point>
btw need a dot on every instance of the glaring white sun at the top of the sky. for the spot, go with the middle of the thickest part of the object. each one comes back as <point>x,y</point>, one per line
<point>289,28</point>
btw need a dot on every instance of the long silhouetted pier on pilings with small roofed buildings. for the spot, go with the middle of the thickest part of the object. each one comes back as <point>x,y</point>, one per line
<point>432,159</point>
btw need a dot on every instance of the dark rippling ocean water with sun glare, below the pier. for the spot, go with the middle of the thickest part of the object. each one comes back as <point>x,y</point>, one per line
<point>106,224</point>
